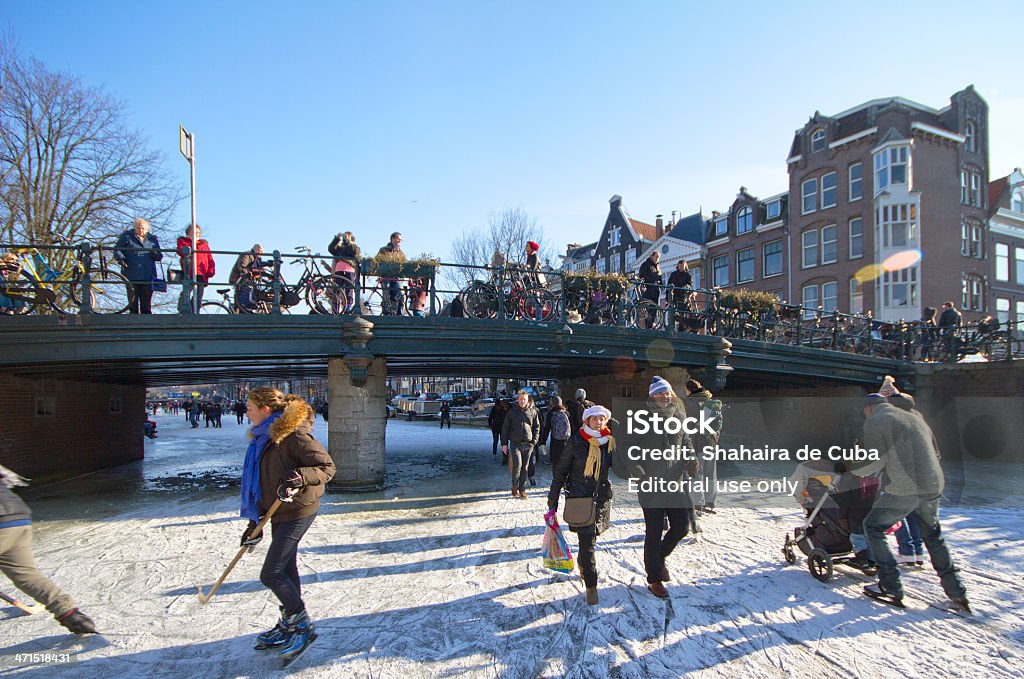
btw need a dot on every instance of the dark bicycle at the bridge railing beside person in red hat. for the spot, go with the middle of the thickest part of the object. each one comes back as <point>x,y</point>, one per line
<point>523,300</point>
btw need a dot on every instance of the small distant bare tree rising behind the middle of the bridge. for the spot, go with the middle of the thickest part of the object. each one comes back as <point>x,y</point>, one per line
<point>507,233</point>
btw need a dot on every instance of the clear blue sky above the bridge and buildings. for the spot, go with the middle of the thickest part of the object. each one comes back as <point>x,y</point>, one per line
<point>313,118</point>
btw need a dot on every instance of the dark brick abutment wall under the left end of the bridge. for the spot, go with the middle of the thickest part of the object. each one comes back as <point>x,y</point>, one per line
<point>75,432</point>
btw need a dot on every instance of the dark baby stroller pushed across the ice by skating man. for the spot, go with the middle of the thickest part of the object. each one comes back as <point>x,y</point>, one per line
<point>833,502</point>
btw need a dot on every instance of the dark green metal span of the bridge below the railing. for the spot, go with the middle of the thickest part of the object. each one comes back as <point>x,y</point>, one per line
<point>159,351</point>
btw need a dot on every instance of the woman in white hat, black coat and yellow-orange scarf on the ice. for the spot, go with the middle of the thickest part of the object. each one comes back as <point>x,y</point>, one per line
<point>583,472</point>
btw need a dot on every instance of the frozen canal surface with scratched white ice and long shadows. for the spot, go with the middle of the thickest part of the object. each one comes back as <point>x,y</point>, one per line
<point>439,576</point>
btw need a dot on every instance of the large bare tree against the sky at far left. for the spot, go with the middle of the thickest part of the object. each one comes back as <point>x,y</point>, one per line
<point>70,165</point>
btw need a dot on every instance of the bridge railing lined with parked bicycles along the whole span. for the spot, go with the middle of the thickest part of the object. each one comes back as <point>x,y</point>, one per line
<point>52,279</point>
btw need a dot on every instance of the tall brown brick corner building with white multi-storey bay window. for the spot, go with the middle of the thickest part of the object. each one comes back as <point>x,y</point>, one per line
<point>888,208</point>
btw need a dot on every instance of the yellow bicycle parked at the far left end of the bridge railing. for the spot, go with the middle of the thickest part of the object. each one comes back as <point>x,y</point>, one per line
<point>30,282</point>
